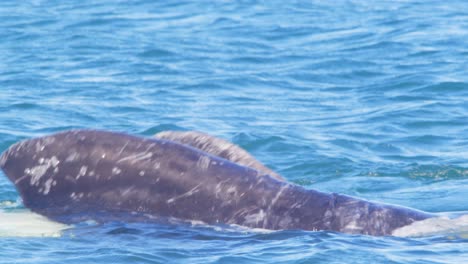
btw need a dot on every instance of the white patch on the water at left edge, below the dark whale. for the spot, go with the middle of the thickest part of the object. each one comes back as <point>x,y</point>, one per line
<point>24,223</point>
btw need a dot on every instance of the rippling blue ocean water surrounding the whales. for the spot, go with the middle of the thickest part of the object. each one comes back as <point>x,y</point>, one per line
<point>365,98</point>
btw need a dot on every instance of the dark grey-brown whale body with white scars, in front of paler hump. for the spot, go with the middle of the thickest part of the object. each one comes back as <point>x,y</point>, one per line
<point>81,175</point>
